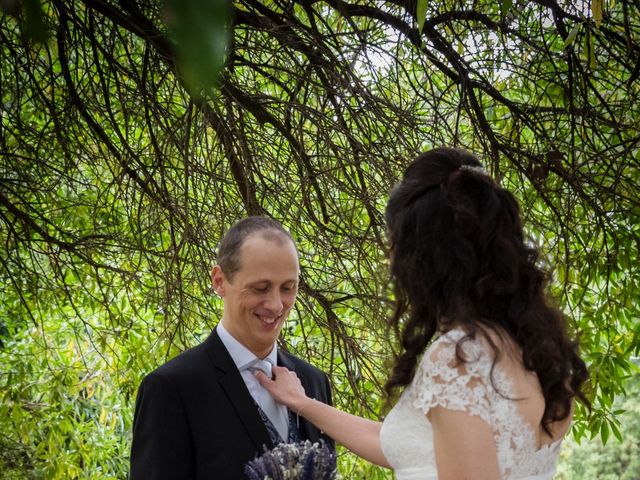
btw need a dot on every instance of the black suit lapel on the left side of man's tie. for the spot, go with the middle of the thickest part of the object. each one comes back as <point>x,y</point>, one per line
<point>233,385</point>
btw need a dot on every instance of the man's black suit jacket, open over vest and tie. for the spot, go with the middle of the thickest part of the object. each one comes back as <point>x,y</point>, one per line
<point>195,418</point>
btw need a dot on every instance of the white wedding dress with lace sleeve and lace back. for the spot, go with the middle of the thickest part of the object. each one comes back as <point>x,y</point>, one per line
<point>407,437</point>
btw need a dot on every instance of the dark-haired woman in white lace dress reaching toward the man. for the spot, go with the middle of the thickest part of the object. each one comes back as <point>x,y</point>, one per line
<point>488,372</point>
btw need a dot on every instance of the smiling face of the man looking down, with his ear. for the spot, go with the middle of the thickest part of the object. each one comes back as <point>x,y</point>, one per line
<point>259,297</point>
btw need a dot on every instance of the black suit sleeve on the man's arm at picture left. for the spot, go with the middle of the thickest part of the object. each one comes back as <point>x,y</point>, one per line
<point>162,447</point>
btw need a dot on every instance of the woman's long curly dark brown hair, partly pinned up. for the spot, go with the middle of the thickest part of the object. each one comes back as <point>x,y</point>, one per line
<point>458,254</point>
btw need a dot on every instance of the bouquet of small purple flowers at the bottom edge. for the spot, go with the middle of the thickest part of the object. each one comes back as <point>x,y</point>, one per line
<point>294,461</point>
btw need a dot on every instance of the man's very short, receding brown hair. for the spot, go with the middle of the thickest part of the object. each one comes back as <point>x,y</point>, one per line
<point>229,247</point>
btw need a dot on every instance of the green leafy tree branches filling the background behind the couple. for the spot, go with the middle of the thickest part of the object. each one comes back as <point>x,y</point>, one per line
<point>119,171</point>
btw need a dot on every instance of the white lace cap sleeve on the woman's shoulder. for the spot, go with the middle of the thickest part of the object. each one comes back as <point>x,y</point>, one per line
<point>441,380</point>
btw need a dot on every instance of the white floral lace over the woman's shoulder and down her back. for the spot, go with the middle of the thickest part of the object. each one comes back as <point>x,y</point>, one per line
<point>442,381</point>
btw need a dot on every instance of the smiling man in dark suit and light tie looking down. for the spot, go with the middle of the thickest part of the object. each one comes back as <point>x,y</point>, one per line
<point>204,415</point>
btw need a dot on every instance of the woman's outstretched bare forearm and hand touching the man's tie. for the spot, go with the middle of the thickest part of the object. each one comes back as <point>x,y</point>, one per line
<point>360,435</point>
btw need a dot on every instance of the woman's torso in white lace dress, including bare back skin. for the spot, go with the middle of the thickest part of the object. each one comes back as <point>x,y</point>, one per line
<point>504,395</point>
